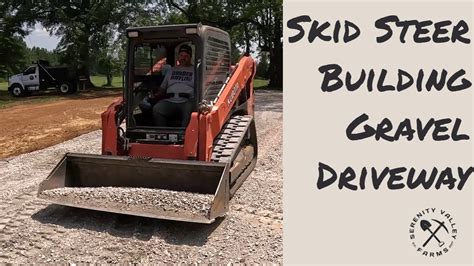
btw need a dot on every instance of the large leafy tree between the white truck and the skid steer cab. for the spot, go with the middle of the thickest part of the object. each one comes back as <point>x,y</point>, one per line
<point>86,28</point>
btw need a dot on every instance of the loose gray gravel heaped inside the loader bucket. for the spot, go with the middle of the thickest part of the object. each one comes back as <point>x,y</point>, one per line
<point>140,200</point>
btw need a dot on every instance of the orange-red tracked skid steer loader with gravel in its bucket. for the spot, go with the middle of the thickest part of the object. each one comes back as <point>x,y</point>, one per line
<point>168,172</point>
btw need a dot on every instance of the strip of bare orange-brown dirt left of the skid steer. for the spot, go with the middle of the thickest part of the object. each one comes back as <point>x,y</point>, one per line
<point>32,126</point>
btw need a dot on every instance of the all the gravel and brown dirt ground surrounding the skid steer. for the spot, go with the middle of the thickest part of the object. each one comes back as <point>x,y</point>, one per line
<point>34,231</point>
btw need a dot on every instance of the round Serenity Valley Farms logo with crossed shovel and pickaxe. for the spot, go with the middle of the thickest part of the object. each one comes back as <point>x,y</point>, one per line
<point>433,232</point>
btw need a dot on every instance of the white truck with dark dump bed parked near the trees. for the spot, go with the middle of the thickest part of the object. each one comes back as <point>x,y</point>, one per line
<point>40,76</point>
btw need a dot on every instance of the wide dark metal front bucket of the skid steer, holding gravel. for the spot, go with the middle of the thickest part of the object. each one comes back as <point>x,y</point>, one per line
<point>166,189</point>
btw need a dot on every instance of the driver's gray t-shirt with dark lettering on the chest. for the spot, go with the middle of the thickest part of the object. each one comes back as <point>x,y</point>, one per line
<point>179,80</point>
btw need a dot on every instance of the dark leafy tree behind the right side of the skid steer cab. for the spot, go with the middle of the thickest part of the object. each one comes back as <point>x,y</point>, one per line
<point>249,22</point>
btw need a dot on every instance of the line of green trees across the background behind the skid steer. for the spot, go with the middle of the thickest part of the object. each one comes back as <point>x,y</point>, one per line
<point>91,31</point>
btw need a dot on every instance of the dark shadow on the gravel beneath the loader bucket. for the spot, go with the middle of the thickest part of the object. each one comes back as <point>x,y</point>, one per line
<point>127,226</point>
